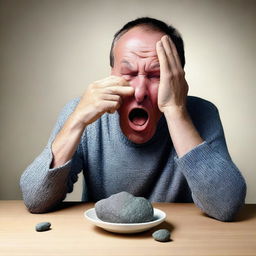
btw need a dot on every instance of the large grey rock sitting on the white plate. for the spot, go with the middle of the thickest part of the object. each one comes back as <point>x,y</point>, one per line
<point>123,207</point>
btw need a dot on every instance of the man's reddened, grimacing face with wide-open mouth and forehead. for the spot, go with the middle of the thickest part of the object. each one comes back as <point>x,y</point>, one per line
<point>135,59</point>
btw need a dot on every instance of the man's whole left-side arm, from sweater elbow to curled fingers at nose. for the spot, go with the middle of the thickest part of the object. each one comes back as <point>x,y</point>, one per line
<point>51,175</point>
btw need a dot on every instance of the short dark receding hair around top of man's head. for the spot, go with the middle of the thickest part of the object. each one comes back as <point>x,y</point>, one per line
<point>154,24</point>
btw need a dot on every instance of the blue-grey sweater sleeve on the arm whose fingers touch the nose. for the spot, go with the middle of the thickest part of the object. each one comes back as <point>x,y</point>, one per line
<point>42,187</point>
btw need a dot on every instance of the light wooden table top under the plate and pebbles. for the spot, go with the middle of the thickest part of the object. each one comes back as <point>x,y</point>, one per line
<point>192,233</point>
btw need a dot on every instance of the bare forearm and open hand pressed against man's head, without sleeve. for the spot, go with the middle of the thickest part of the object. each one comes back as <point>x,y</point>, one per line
<point>172,96</point>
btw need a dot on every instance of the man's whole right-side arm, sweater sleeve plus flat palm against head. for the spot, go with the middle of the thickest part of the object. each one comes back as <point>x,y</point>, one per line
<point>216,184</point>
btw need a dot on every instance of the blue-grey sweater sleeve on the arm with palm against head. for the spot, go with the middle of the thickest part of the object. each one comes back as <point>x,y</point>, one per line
<point>217,185</point>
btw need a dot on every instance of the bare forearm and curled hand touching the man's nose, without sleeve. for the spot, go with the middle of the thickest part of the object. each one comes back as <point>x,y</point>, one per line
<point>101,96</point>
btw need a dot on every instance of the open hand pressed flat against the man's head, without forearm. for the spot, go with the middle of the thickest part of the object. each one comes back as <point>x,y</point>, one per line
<point>173,87</point>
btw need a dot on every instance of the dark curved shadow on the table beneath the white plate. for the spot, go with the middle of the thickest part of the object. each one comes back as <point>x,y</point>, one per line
<point>141,235</point>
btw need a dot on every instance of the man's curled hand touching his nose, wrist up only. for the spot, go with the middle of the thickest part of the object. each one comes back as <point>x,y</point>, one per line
<point>100,97</point>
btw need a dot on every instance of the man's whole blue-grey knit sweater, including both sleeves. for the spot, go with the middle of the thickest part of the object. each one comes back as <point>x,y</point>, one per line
<point>111,163</point>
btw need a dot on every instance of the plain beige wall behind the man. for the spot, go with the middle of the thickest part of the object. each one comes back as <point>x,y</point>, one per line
<point>51,50</point>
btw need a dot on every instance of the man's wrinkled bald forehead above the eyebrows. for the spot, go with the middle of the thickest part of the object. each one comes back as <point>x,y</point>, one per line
<point>137,42</point>
